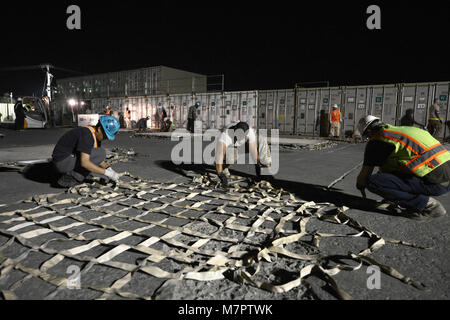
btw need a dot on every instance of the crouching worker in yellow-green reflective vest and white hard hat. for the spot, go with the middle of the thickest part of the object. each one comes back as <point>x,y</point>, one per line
<point>413,167</point>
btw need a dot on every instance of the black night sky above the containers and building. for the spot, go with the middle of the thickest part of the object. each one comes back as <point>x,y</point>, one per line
<point>256,45</point>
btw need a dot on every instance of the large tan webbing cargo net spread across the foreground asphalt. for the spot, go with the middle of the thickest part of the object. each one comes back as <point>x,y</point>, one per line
<point>125,238</point>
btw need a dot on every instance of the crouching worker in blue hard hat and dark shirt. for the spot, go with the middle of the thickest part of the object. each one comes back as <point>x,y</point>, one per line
<point>78,152</point>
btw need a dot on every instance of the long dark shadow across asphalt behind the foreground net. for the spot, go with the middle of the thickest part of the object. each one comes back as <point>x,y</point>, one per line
<point>305,191</point>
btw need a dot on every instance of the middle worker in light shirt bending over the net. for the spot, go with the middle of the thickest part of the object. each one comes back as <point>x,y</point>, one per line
<point>235,137</point>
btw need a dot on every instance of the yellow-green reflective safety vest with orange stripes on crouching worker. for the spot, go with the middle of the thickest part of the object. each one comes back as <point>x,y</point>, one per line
<point>416,151</point>
